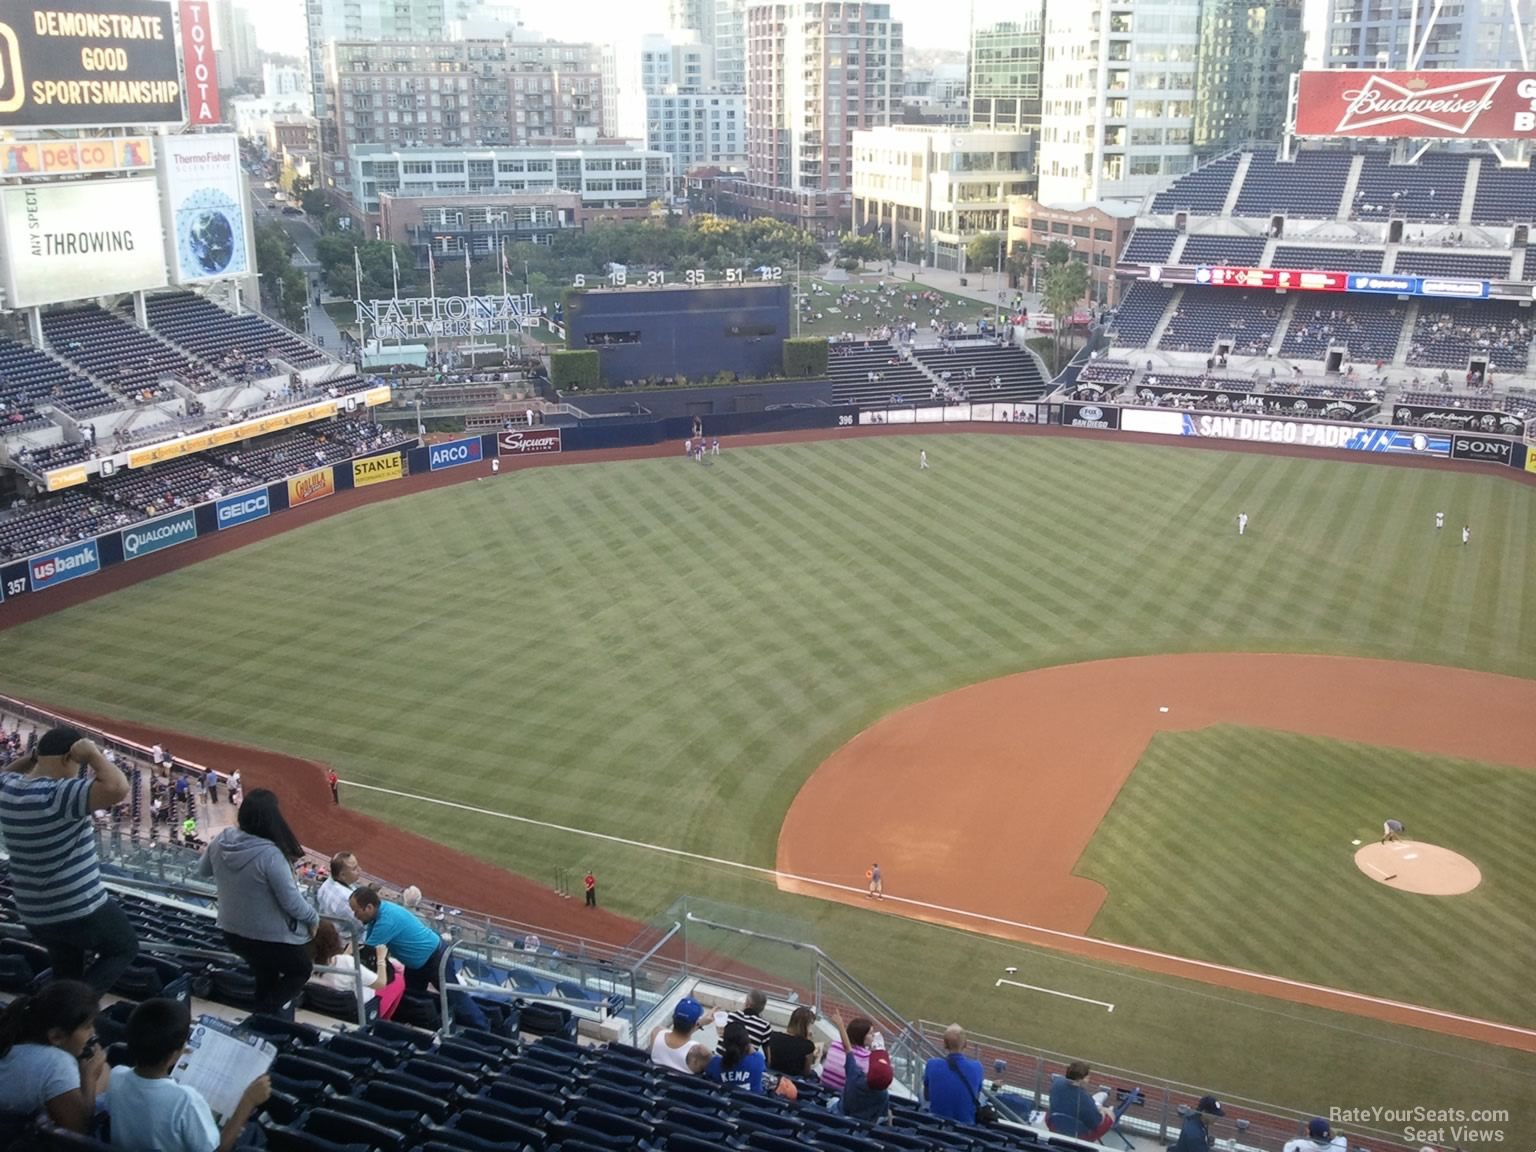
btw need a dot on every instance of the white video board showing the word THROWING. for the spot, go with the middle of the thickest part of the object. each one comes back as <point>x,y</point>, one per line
<point>82,240</point>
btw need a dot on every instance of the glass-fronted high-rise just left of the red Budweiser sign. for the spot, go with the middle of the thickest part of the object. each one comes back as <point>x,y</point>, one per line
<point>1248,55</point>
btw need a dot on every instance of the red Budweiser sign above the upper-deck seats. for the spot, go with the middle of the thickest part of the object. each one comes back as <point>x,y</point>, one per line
<point>1434,104</point>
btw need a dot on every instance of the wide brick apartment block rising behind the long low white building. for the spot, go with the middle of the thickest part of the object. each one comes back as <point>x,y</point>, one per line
<point>458,94</point>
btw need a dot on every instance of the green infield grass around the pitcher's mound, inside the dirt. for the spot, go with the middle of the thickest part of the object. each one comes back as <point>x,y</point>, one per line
<point>1213,818</point>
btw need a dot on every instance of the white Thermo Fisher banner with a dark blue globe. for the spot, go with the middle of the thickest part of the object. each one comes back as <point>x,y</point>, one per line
<point>205,208</point>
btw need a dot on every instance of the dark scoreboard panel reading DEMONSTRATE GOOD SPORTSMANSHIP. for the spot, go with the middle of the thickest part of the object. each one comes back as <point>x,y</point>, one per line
<point>81,64</point>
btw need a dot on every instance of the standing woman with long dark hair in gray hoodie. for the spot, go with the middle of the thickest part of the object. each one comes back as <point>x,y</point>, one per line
<point>265,916</point>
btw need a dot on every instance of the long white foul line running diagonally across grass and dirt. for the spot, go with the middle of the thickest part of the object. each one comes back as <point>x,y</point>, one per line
<point>1107,945</point>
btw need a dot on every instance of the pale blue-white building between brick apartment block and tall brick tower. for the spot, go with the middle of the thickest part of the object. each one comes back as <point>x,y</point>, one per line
<point>667,101</point>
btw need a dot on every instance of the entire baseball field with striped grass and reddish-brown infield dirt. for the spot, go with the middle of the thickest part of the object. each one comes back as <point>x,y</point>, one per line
<point>767,674</point>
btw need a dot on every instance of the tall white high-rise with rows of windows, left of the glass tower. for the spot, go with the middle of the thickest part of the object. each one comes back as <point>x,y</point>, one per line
<point>1117,98</point>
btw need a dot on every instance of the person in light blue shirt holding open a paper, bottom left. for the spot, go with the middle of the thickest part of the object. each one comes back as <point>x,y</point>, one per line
<point>151,1113</point>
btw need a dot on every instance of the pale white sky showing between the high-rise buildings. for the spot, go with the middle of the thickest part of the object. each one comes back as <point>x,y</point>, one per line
<point>280,24</point>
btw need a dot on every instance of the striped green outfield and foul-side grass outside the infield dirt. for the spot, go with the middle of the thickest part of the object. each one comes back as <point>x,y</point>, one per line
<point>666,652</point>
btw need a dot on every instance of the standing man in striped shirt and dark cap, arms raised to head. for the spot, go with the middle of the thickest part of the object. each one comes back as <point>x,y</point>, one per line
<point>45,826</point>
